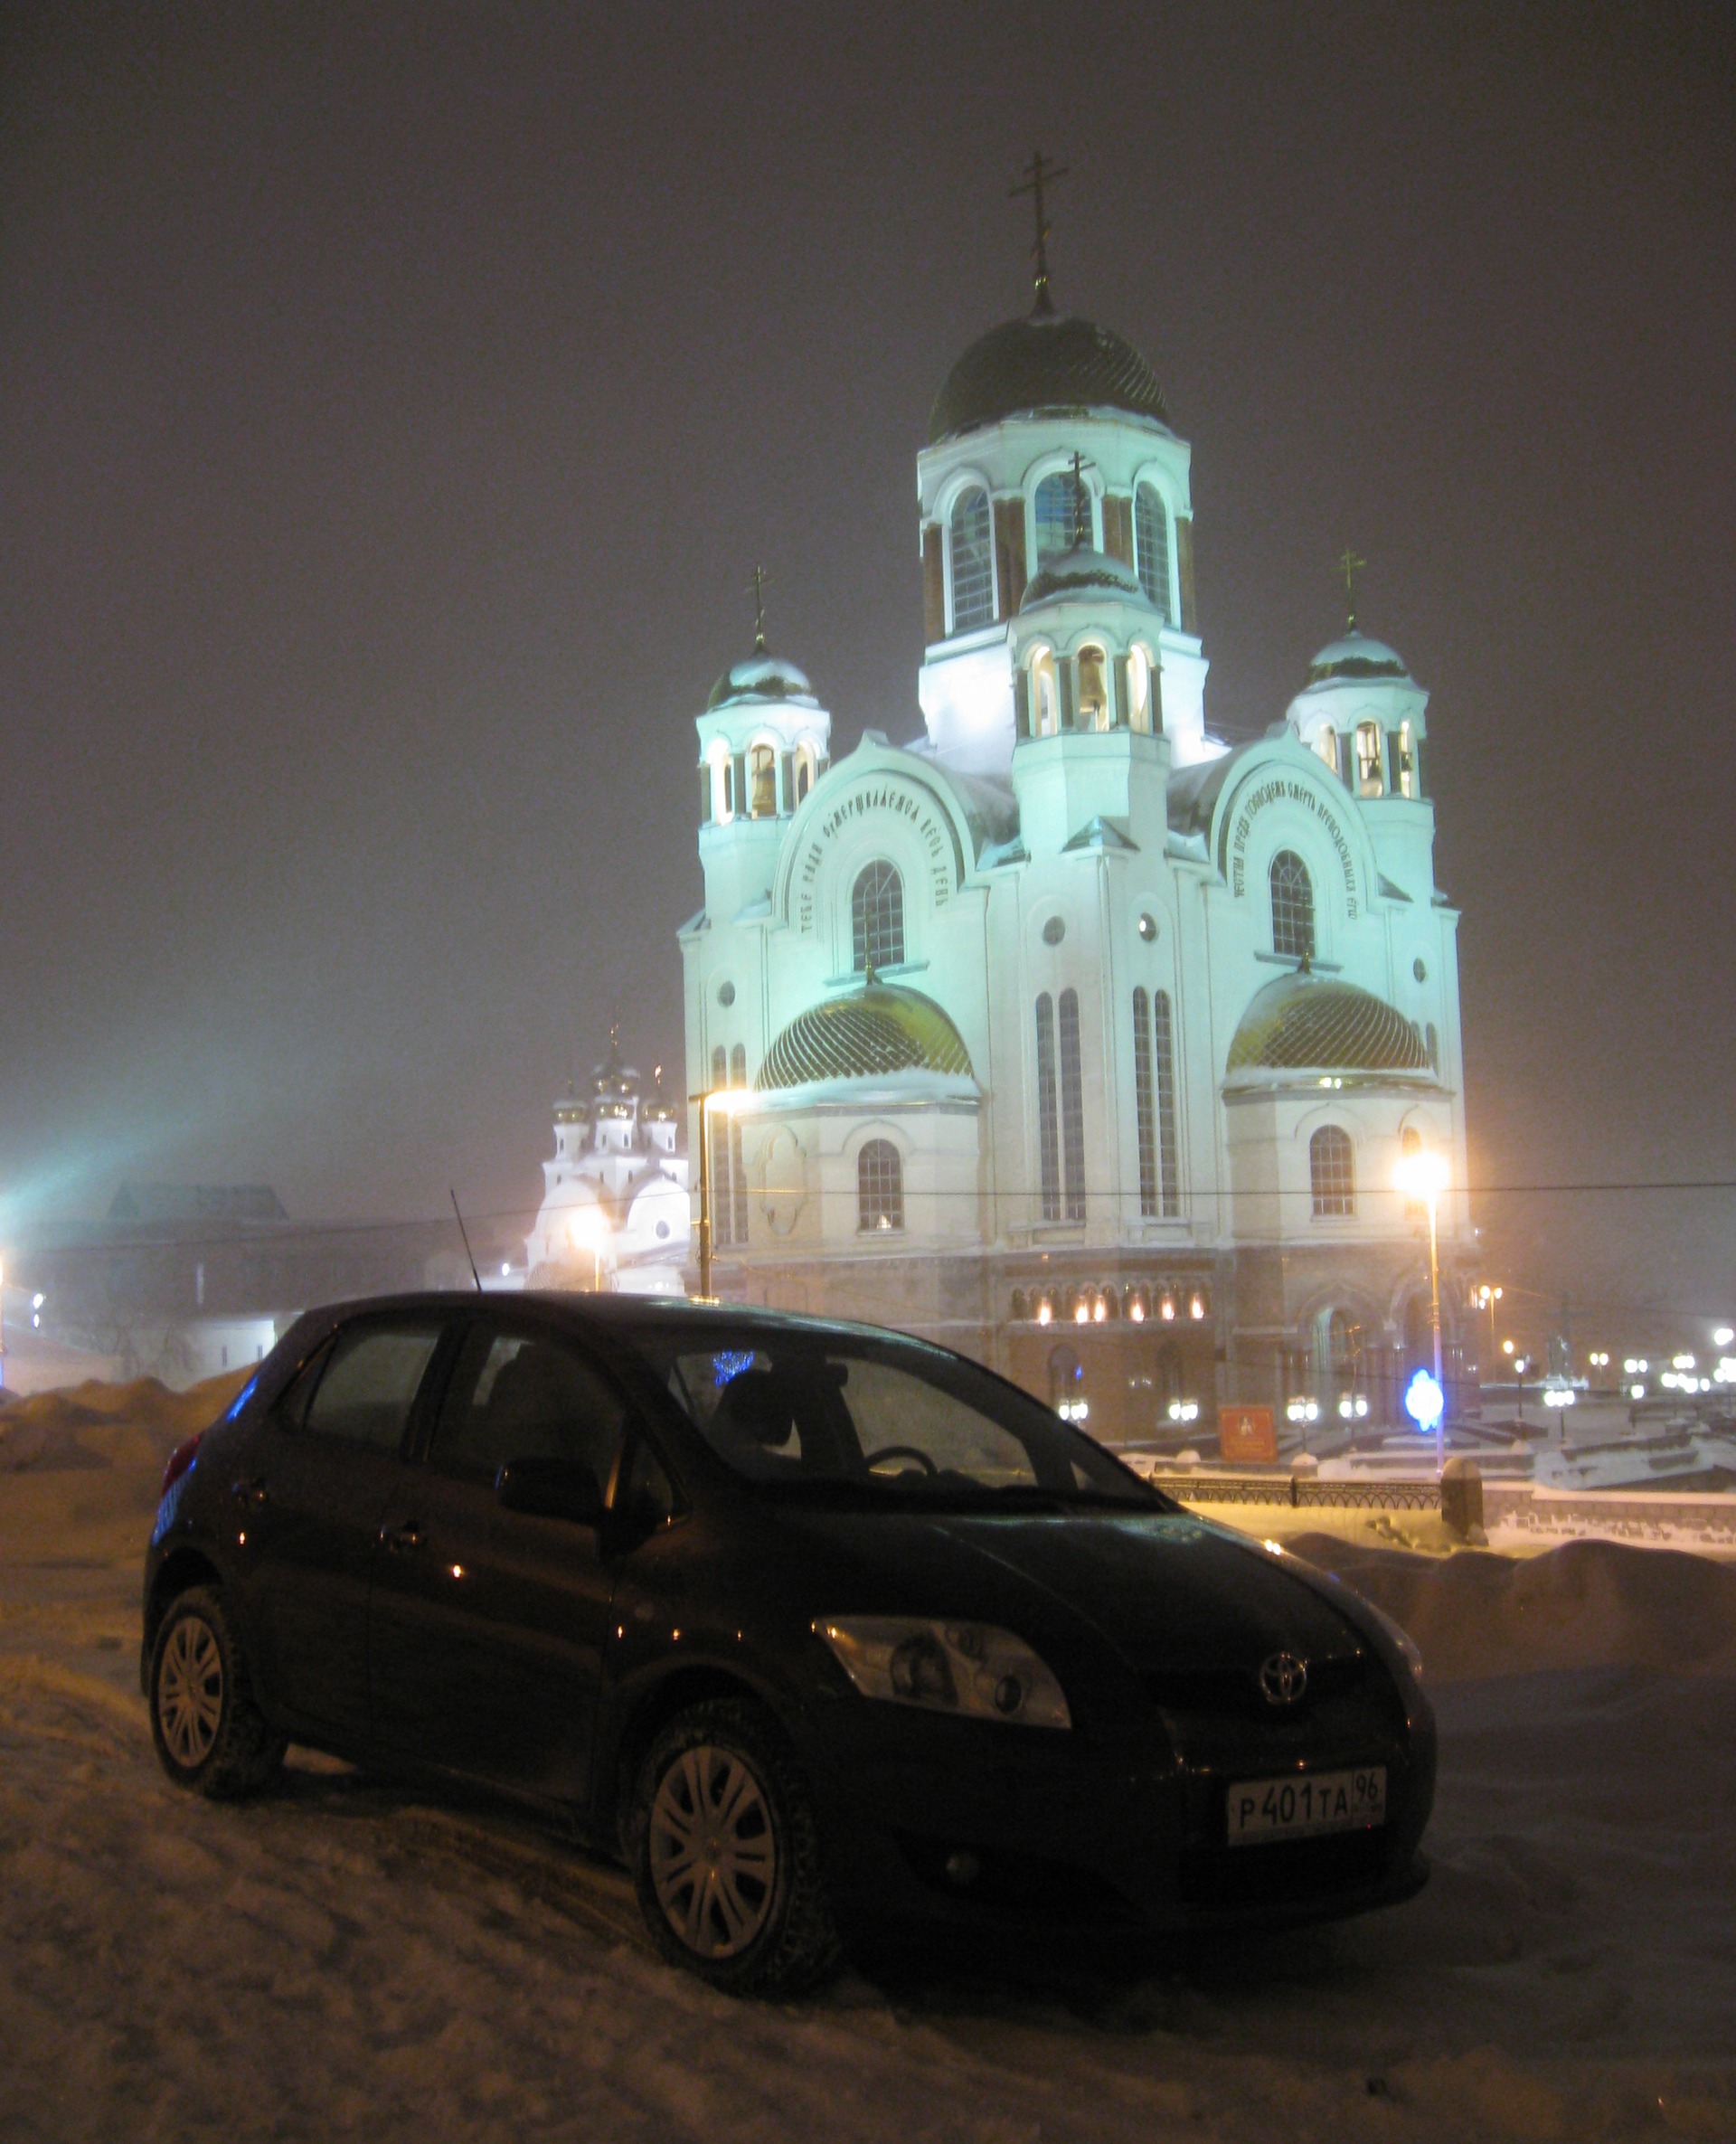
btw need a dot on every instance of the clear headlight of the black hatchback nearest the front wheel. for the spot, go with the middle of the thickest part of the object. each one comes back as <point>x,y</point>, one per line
<point>948,1669</point>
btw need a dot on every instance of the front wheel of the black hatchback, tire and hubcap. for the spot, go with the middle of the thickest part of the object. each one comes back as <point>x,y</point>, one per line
<point>725,1853</point>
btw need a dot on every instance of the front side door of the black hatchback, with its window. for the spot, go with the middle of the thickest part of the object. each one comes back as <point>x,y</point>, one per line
<point>488,1626</point>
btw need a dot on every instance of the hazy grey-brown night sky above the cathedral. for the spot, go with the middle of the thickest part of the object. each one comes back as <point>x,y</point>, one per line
<point>395,400</point>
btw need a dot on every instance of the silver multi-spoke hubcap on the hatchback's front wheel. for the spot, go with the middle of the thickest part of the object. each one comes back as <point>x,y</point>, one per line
<point>715,1860</point>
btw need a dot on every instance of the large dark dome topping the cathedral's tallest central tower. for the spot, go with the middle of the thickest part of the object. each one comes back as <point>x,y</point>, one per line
<point>1045,363</point>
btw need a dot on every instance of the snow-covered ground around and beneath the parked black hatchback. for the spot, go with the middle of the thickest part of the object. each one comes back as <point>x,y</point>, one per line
<point>353,1961</point>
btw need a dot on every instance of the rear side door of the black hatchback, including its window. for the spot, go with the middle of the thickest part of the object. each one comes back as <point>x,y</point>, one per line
<point>312,1491</point>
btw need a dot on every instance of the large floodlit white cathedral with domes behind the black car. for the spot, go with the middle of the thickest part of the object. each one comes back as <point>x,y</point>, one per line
<point>1066,1032</point>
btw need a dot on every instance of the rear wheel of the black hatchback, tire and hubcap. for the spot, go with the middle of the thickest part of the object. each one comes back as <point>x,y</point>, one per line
<point>211,1736</point>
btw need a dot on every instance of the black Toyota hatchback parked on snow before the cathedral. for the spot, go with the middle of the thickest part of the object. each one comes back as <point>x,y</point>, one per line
<point>818,1626</point>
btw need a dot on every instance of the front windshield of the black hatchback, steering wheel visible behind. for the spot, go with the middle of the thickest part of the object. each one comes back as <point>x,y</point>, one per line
<point>858,1420</point>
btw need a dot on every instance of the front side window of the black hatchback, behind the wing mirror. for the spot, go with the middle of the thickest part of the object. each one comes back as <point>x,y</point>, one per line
<point>524,1395</point>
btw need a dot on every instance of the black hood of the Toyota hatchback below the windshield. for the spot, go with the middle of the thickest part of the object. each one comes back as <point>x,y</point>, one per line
<point>1165,1592</point>
